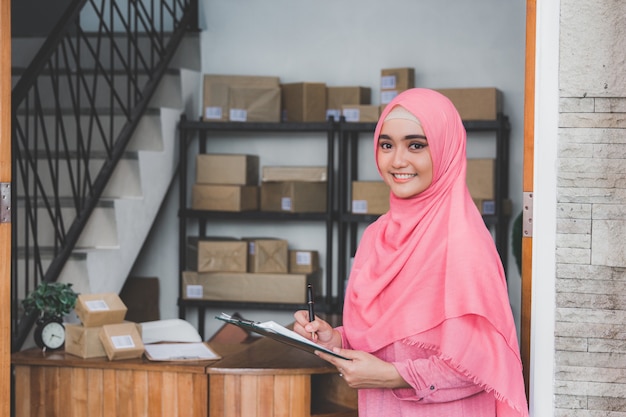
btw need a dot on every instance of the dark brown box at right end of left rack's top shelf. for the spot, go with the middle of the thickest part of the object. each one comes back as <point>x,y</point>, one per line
<point>304,102</point>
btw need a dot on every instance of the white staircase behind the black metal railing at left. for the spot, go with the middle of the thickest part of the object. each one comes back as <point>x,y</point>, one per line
<point>71,152</point>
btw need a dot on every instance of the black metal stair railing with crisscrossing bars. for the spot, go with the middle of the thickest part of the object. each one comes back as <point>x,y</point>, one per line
<point>79,101</point>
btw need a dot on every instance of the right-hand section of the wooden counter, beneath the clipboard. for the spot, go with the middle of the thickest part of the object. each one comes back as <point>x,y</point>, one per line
<point>273,379</point>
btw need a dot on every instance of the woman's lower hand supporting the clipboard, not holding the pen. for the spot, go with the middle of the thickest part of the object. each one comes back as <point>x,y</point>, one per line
<point>364,370</point>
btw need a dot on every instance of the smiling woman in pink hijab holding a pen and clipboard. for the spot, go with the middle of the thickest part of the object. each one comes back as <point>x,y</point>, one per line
<point>427,322</point>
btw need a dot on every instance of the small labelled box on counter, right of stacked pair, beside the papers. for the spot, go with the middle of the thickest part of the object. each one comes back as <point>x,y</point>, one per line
<point>121,341</point>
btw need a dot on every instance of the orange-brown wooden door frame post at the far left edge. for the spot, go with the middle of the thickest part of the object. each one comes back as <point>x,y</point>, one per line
<point>5,226</point>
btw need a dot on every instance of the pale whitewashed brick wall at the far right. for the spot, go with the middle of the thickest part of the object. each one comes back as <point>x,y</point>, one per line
<point>590,356</point>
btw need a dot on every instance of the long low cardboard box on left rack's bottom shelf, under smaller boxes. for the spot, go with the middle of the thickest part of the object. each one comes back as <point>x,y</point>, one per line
<point>248,287</point>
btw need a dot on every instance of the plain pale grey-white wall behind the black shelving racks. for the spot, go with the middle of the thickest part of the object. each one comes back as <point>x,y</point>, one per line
<point>456,43</point>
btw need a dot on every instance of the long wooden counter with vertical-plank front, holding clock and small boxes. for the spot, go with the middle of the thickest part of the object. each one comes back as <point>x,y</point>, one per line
<point>265,378</point>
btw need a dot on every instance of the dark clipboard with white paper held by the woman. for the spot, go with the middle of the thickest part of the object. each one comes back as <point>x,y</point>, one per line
<point>277,332</point>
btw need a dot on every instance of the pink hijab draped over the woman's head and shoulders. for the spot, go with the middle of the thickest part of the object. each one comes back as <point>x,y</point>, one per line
<point>427,272</point>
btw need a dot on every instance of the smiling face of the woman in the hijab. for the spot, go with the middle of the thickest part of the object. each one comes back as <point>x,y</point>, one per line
<point>403,157</point>
